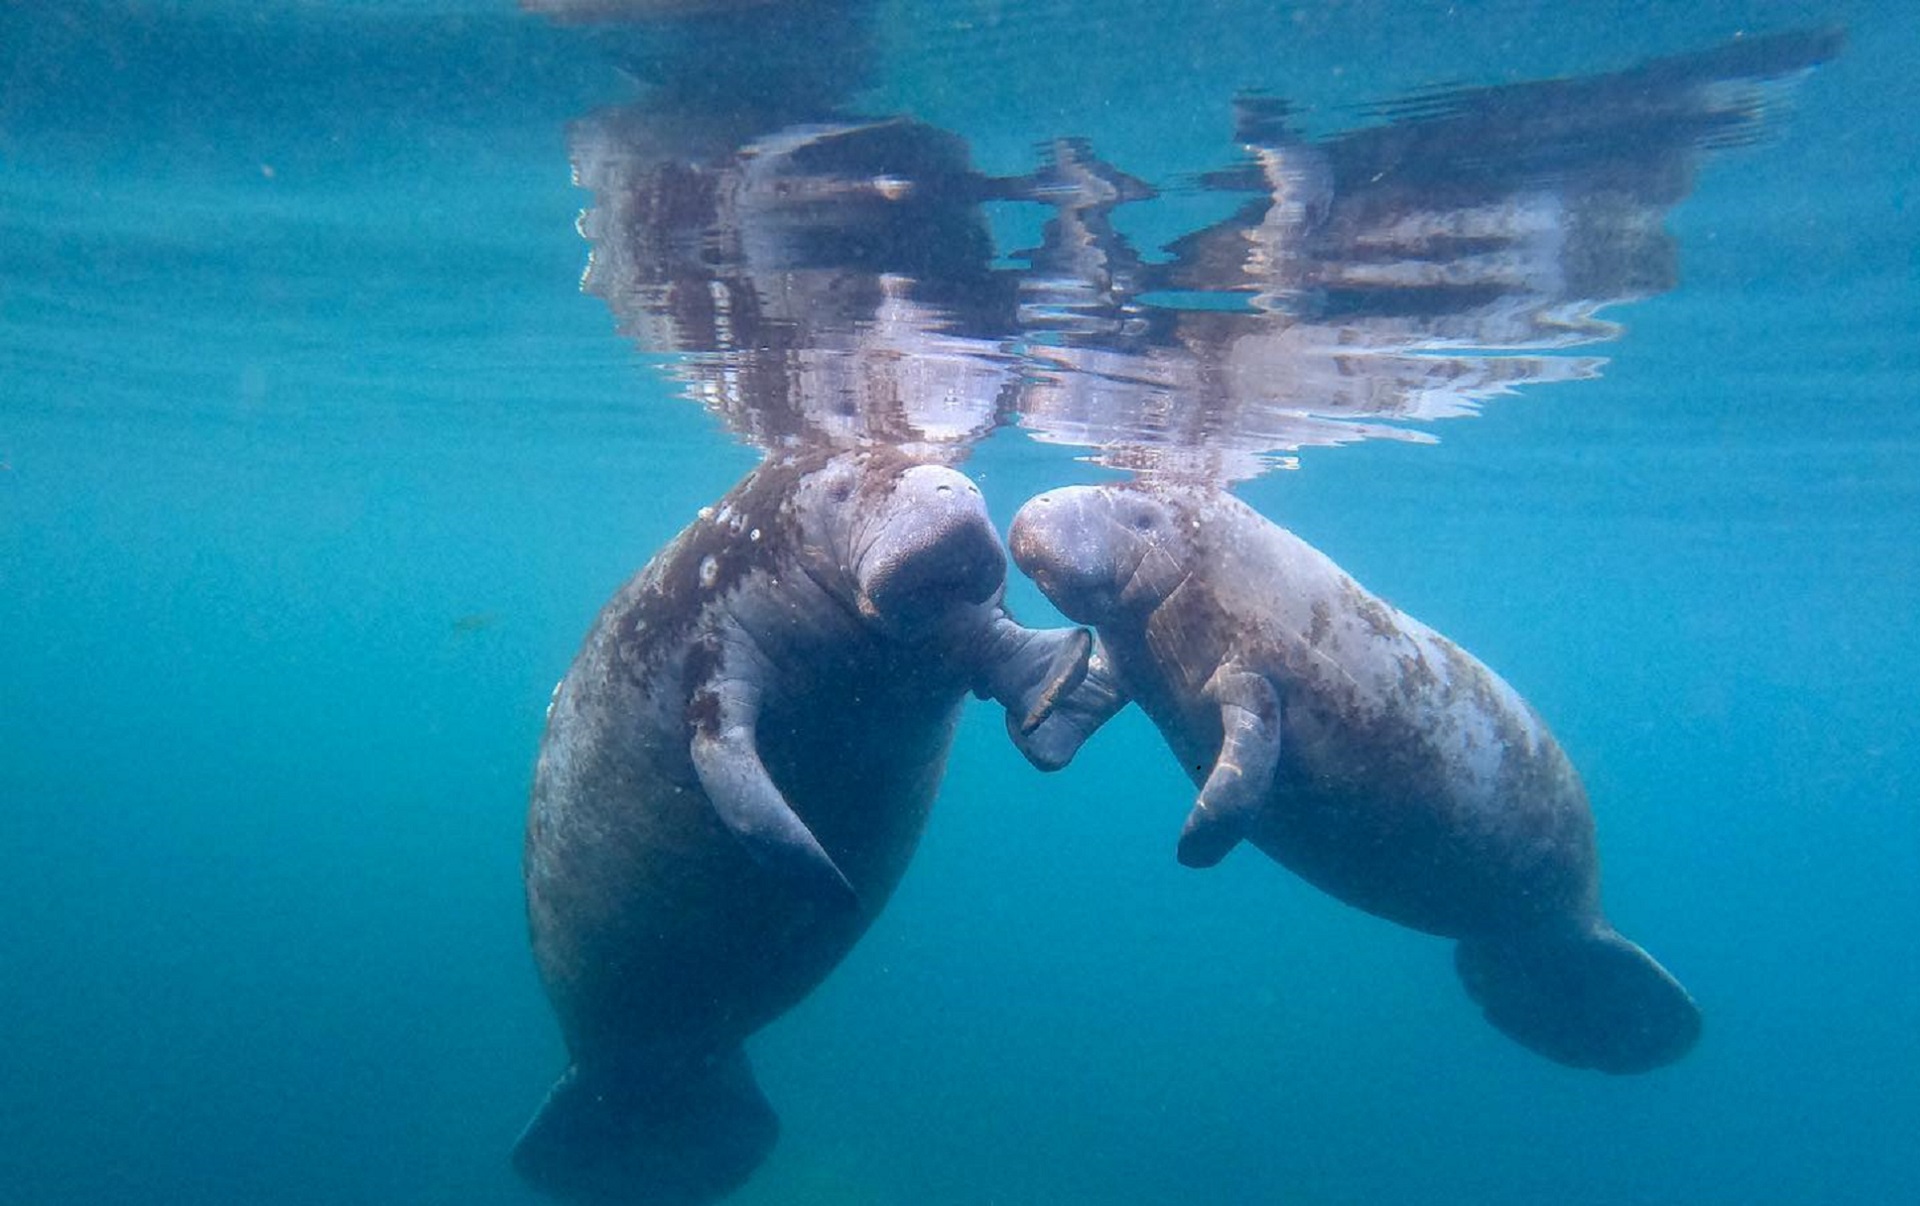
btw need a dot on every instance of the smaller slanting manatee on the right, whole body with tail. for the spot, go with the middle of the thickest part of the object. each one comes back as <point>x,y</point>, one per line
<point>1356,748</point>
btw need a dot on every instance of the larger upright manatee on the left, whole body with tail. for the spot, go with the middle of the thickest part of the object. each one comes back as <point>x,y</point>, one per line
<point>734,777</point>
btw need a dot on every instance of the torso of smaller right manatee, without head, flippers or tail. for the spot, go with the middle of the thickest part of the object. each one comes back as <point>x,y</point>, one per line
<point>1414,783</point>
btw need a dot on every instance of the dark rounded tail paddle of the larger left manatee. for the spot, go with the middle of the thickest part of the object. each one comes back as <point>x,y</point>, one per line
<point>623,1142</point>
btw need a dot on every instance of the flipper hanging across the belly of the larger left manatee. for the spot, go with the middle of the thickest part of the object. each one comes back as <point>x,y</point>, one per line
<point>748,800</point>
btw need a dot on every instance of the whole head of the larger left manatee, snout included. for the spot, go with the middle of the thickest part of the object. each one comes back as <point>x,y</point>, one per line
<point>919,546</point>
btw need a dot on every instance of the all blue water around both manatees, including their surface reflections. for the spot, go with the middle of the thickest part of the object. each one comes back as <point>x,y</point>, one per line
<point>352,356</point>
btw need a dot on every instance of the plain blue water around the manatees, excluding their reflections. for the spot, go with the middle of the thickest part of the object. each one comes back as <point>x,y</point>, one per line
<point>316,466</point>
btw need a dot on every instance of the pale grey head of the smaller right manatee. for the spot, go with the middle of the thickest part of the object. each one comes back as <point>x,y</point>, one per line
<point>1101,552</point>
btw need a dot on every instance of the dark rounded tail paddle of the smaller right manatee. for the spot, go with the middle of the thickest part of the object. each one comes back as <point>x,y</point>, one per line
<point>1581,998</point>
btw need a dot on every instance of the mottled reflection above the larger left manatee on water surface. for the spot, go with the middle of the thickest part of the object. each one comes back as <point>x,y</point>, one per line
<point>823,285</point>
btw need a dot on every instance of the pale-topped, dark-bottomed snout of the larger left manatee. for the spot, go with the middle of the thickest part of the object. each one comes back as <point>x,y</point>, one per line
<point>932,550</point>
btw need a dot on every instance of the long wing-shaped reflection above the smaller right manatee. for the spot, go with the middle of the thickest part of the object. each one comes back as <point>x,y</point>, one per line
<point>1385,277</point>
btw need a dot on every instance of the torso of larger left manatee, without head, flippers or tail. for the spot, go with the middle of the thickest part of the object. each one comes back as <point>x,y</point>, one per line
<point>642,904</point>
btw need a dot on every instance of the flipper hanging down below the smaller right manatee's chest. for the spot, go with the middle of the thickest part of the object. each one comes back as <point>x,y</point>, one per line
<point>1243,775</point>
